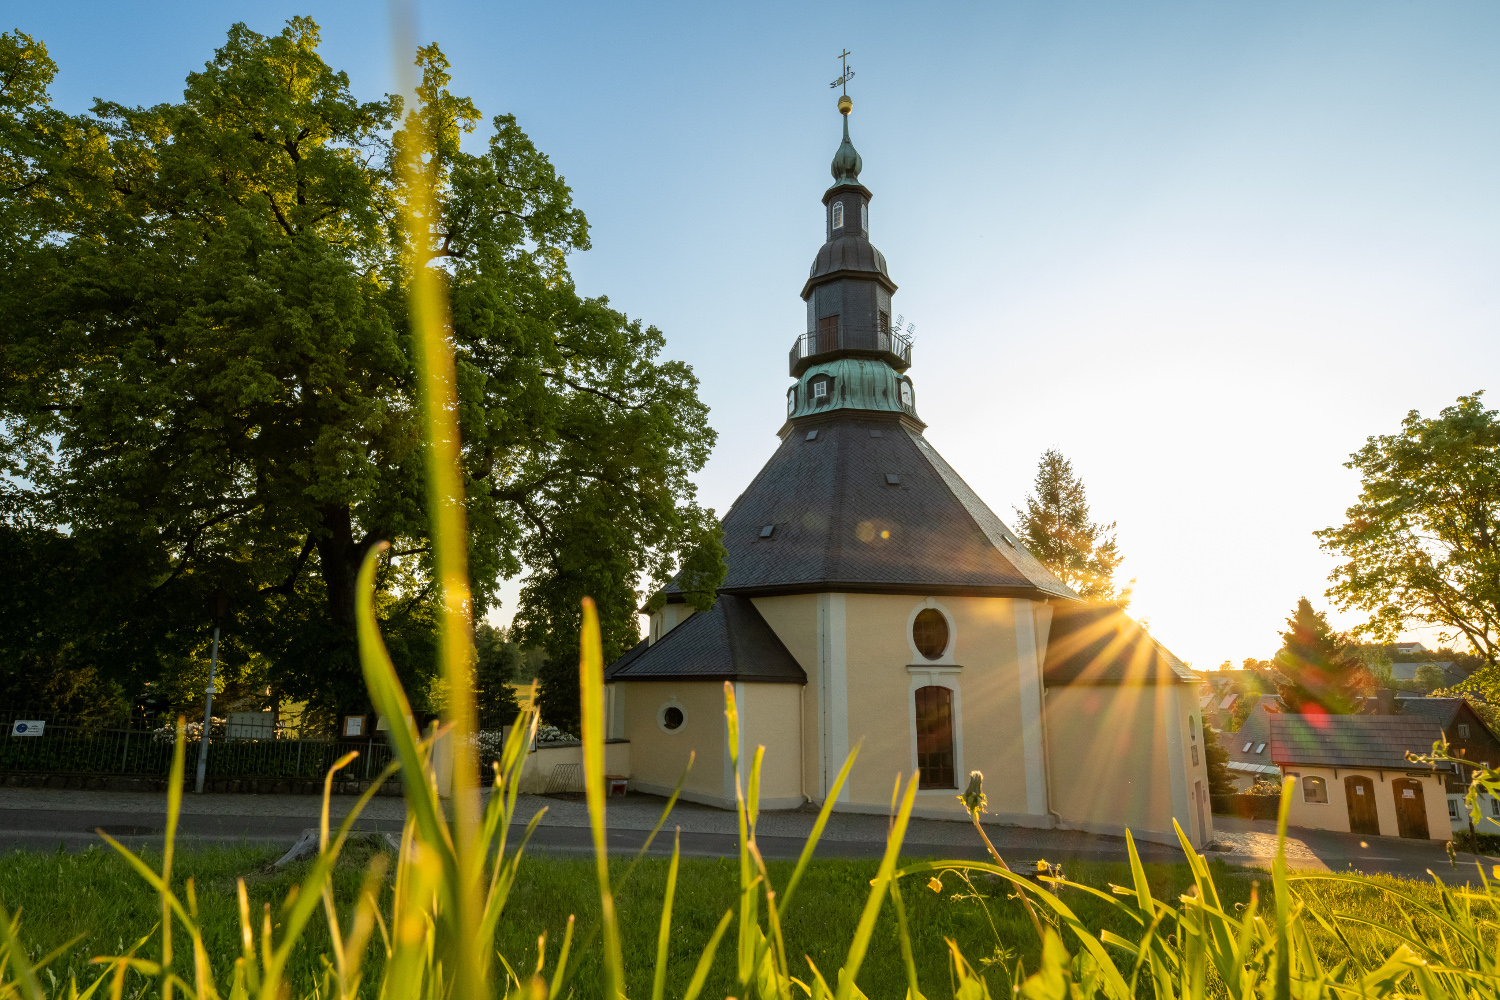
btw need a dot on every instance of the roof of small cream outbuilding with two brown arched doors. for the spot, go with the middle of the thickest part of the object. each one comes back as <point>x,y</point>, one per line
<point>1352,741</point>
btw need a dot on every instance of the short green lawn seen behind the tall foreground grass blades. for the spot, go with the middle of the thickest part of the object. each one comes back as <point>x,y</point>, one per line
<point>95,897</point>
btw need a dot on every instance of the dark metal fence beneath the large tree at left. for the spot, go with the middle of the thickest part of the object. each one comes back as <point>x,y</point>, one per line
<point>137,747</point>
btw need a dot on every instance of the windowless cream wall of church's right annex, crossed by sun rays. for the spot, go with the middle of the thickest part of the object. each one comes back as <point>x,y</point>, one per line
<point>1114,764</point>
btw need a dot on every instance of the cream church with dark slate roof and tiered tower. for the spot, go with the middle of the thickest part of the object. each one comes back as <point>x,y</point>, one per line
<point>875,600</point>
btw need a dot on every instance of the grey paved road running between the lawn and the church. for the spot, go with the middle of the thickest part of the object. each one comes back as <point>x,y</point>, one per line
<point>47,818</point>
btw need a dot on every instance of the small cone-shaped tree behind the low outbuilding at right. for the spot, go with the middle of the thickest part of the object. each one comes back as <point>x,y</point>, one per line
<point>1321,672</point>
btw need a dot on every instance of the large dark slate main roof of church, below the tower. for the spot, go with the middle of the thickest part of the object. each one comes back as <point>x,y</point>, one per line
<point>841,524</point>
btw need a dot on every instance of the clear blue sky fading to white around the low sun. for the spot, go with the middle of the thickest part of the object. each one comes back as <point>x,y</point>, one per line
<point>1204,250</point>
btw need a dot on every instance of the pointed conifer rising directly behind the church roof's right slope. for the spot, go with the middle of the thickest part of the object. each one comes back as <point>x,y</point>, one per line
<point>1058,531</point>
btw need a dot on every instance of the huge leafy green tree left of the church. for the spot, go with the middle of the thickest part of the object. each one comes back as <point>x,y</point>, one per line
<point>208,365</point>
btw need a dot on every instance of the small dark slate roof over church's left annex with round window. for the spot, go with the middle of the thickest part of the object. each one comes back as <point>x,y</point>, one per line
<point>728,642</point>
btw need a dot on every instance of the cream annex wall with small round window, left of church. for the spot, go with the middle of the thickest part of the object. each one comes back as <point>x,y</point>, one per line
<point>656,756</point>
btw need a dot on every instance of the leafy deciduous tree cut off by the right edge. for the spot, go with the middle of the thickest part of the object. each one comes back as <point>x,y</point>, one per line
<point>1423,545</point>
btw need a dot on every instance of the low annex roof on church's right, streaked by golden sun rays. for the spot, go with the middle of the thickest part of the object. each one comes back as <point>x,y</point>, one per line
<point>1100,644</point>
